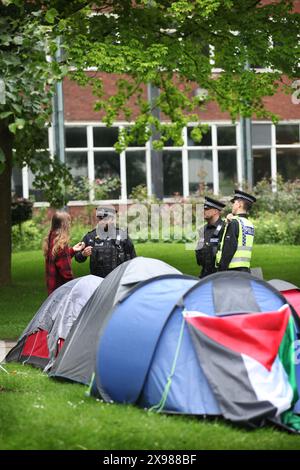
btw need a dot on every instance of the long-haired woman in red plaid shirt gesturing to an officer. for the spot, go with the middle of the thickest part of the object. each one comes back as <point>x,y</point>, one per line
<point>57,252</point>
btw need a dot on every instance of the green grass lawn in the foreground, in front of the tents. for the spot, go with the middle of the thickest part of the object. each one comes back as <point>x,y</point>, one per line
<point>39,413</point>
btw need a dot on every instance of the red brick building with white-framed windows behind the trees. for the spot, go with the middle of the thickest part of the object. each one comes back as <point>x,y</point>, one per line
<point>216,162</point>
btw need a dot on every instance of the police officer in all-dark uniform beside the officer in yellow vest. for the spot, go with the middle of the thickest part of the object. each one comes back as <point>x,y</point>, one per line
<point>213,230</point>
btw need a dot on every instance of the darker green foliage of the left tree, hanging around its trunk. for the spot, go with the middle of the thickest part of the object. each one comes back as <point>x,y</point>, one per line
<point>28,37</point>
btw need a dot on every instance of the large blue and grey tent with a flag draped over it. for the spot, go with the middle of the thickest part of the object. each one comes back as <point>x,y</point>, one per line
<point>224,345</point>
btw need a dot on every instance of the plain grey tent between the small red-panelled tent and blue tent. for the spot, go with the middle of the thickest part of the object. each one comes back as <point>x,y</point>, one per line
<point>77,358</point>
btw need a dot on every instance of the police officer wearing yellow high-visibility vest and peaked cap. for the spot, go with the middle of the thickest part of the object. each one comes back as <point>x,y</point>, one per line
<point>235,249</point>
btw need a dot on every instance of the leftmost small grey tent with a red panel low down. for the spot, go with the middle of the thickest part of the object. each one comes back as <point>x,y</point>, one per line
<point>42,338</point>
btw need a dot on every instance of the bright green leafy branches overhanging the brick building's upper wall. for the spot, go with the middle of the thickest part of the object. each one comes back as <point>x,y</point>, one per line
<point>169,44</point>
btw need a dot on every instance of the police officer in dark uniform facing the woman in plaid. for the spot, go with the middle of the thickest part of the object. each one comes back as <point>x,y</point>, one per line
<point>106,245</point>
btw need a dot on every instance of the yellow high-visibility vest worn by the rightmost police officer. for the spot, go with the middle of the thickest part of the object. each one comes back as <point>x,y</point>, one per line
<point>242,256</point>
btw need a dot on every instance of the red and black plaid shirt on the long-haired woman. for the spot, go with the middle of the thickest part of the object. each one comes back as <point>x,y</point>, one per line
<point>58,268</point>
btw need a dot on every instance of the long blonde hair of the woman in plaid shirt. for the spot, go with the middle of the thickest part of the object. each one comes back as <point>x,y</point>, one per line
<point>60,226</point>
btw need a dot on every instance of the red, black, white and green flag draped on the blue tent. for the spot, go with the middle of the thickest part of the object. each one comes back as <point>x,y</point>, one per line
<point>248,361</point>
